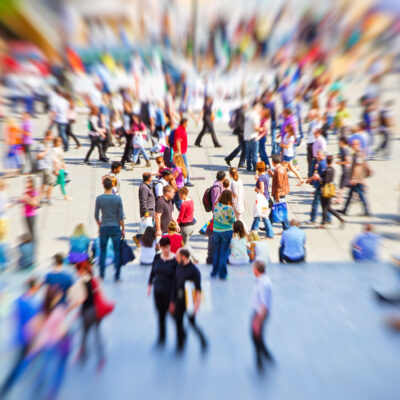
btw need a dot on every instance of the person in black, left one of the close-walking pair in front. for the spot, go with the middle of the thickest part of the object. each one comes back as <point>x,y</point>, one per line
<point>161,280</point>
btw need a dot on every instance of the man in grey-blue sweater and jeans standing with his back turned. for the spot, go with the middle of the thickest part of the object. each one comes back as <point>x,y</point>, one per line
<point>111,225</point>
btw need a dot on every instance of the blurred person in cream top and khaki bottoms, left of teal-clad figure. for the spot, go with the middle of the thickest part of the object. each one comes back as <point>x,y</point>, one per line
<point>45,167</point>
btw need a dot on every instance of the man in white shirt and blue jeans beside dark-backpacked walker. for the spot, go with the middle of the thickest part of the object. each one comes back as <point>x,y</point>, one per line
<point>251,131</point>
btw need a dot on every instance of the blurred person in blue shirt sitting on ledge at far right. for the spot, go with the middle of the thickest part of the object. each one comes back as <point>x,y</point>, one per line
<point>367,245</point>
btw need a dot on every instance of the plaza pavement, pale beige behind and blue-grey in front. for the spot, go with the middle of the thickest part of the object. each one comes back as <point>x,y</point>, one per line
<point>326,332</point>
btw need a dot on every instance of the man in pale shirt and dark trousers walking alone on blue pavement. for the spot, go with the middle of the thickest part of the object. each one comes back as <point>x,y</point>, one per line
<point>261,309</point>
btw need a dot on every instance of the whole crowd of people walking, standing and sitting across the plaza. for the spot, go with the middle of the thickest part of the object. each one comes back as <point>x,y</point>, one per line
<point>289,114</point>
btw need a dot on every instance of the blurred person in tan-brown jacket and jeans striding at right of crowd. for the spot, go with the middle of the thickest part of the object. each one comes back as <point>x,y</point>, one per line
<point>359,171</point>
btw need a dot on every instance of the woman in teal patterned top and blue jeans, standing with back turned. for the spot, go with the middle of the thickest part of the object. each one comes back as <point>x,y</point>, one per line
<point>224,218</point>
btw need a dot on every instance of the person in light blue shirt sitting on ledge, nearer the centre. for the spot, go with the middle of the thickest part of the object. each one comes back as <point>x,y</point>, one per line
<point>292,249</point>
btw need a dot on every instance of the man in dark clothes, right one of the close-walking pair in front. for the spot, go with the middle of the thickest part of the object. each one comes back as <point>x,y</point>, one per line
<point>186,271</point>
